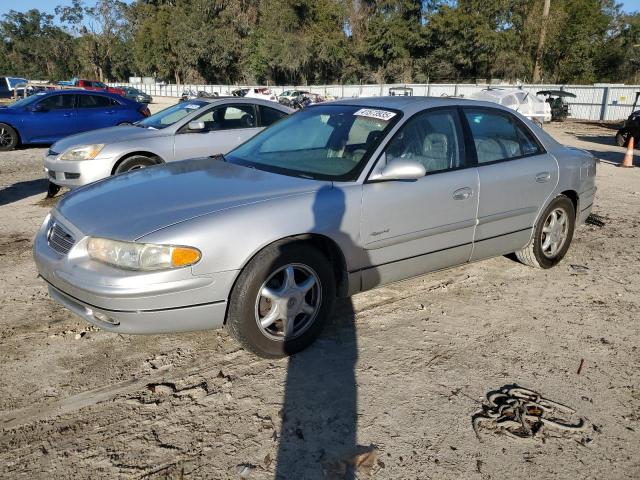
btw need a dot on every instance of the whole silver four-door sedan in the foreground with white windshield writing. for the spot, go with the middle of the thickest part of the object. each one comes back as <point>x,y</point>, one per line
<point>334,200</point>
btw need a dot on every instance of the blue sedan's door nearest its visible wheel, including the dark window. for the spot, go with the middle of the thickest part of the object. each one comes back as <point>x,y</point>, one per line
<point>50,119</point>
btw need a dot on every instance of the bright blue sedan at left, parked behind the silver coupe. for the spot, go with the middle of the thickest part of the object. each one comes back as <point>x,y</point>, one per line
<point>49,116</point>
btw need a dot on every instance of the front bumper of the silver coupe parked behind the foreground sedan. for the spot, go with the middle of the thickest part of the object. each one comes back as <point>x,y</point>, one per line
<point>76,173</point>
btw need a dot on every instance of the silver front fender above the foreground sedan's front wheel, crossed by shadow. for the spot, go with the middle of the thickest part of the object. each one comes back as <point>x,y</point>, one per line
<point>228,239</point>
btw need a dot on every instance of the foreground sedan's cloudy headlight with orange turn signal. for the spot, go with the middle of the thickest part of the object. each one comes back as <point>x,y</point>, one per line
<point>141,256</point>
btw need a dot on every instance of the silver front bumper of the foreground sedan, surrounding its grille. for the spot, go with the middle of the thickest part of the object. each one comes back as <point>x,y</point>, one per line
<point>126,301</point>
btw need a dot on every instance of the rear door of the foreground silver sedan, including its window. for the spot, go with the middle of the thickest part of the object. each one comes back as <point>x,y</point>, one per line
<point>516,178</point>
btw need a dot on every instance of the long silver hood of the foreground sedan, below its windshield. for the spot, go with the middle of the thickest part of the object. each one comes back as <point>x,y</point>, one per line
<point>131,205</point>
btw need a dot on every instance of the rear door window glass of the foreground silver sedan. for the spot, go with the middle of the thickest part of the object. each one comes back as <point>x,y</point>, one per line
<point>499,136</point>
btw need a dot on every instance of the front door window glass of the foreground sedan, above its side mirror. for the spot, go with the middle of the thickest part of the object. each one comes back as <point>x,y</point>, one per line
<point>432,138</point>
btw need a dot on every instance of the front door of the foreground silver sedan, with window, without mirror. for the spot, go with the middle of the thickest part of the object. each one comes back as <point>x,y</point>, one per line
<point>413,227</point>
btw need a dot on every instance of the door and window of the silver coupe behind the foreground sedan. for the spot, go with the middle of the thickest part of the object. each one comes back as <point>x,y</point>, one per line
<point>226,127</point>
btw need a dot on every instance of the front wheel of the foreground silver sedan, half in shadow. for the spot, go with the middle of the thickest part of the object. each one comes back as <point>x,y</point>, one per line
<point>282,300</point>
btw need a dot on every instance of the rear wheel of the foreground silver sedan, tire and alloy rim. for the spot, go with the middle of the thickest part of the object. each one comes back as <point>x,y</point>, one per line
<point>552,235</point>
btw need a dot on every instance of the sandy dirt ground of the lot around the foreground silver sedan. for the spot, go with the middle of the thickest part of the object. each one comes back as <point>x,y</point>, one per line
<point>398,375</point>
